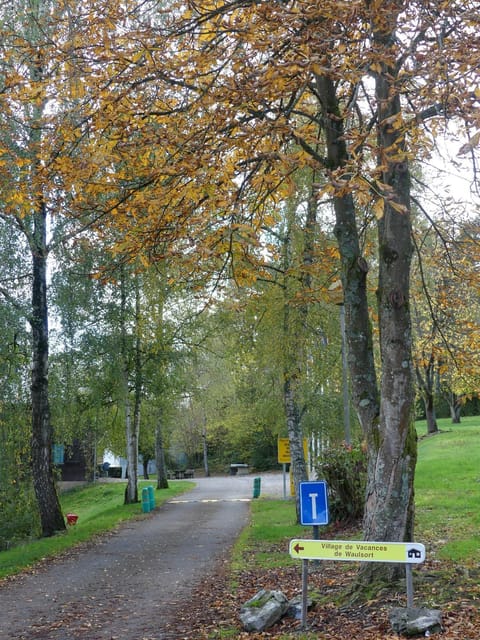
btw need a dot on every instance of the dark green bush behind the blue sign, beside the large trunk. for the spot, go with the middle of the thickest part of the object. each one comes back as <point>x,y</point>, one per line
<point>344,469</point>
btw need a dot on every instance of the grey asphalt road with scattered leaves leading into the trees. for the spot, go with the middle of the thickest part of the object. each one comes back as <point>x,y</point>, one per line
<point>130,583</point>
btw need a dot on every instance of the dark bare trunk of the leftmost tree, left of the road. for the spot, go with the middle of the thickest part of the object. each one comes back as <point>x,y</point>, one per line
<point>42,465</point>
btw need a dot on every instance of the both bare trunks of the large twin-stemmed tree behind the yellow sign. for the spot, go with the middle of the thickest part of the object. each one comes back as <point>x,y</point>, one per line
<point>388,426</point>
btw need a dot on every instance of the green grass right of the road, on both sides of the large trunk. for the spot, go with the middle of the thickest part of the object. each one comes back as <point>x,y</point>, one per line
<point>447,497</point>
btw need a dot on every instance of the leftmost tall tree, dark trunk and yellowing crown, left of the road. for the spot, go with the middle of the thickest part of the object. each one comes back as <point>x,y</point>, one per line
<point>47,183</point>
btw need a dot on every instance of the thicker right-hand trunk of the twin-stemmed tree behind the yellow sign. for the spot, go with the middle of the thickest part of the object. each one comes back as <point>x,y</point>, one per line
<point>389,510</point>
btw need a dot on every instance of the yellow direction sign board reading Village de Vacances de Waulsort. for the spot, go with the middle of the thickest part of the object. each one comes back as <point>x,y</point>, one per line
<point>354,551</point>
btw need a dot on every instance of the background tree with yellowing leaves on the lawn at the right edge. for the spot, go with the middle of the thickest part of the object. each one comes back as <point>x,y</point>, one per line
<point>444,304</point>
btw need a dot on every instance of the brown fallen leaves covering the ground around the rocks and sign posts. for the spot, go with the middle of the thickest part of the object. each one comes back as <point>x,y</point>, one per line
<point>215,604</point>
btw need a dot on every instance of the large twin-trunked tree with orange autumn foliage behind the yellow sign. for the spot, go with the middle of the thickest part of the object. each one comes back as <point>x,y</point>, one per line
<point>249,86</point>
